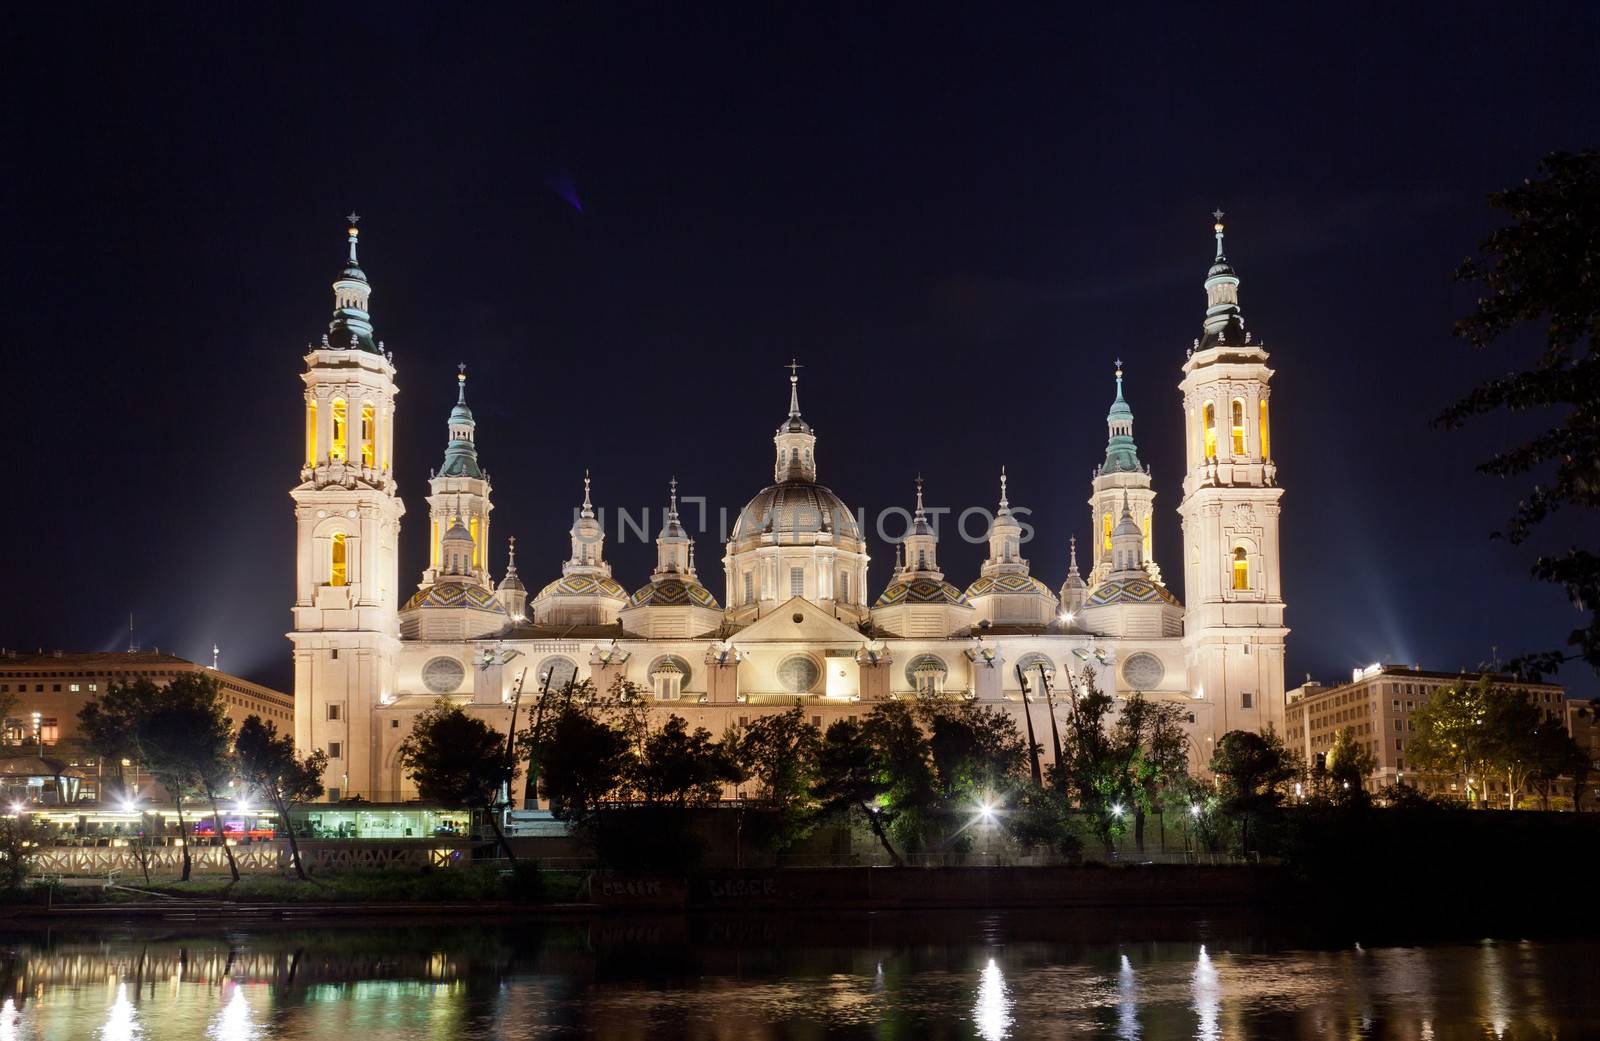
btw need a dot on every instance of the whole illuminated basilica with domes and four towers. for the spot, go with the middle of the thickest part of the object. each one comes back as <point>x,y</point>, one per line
<point>796,618</point>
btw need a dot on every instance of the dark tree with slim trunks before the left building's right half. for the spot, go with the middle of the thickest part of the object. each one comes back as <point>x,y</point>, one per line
<point>185,738</point>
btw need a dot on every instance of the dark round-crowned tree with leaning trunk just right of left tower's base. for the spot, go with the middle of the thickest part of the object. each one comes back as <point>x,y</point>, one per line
<point>460,760</point>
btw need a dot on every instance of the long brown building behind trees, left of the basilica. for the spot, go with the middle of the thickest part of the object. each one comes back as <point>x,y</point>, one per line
<point>47,692</point>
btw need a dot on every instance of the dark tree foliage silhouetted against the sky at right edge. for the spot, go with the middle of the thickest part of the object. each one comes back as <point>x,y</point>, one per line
<point>1543,269</point>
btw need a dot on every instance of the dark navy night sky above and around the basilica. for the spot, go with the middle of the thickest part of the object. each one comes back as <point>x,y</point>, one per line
<point>626,220</point>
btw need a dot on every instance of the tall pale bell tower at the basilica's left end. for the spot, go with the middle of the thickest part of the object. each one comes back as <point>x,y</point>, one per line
<point>348,533</point>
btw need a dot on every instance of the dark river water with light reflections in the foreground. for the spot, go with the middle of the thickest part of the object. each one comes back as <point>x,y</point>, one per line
<point>889,976</point>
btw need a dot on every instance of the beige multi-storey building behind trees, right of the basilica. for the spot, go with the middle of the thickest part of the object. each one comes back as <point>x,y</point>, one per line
<point>1380,706</point>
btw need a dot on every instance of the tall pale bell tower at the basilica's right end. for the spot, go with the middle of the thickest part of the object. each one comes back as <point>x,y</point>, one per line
<point>1233,583</point>
